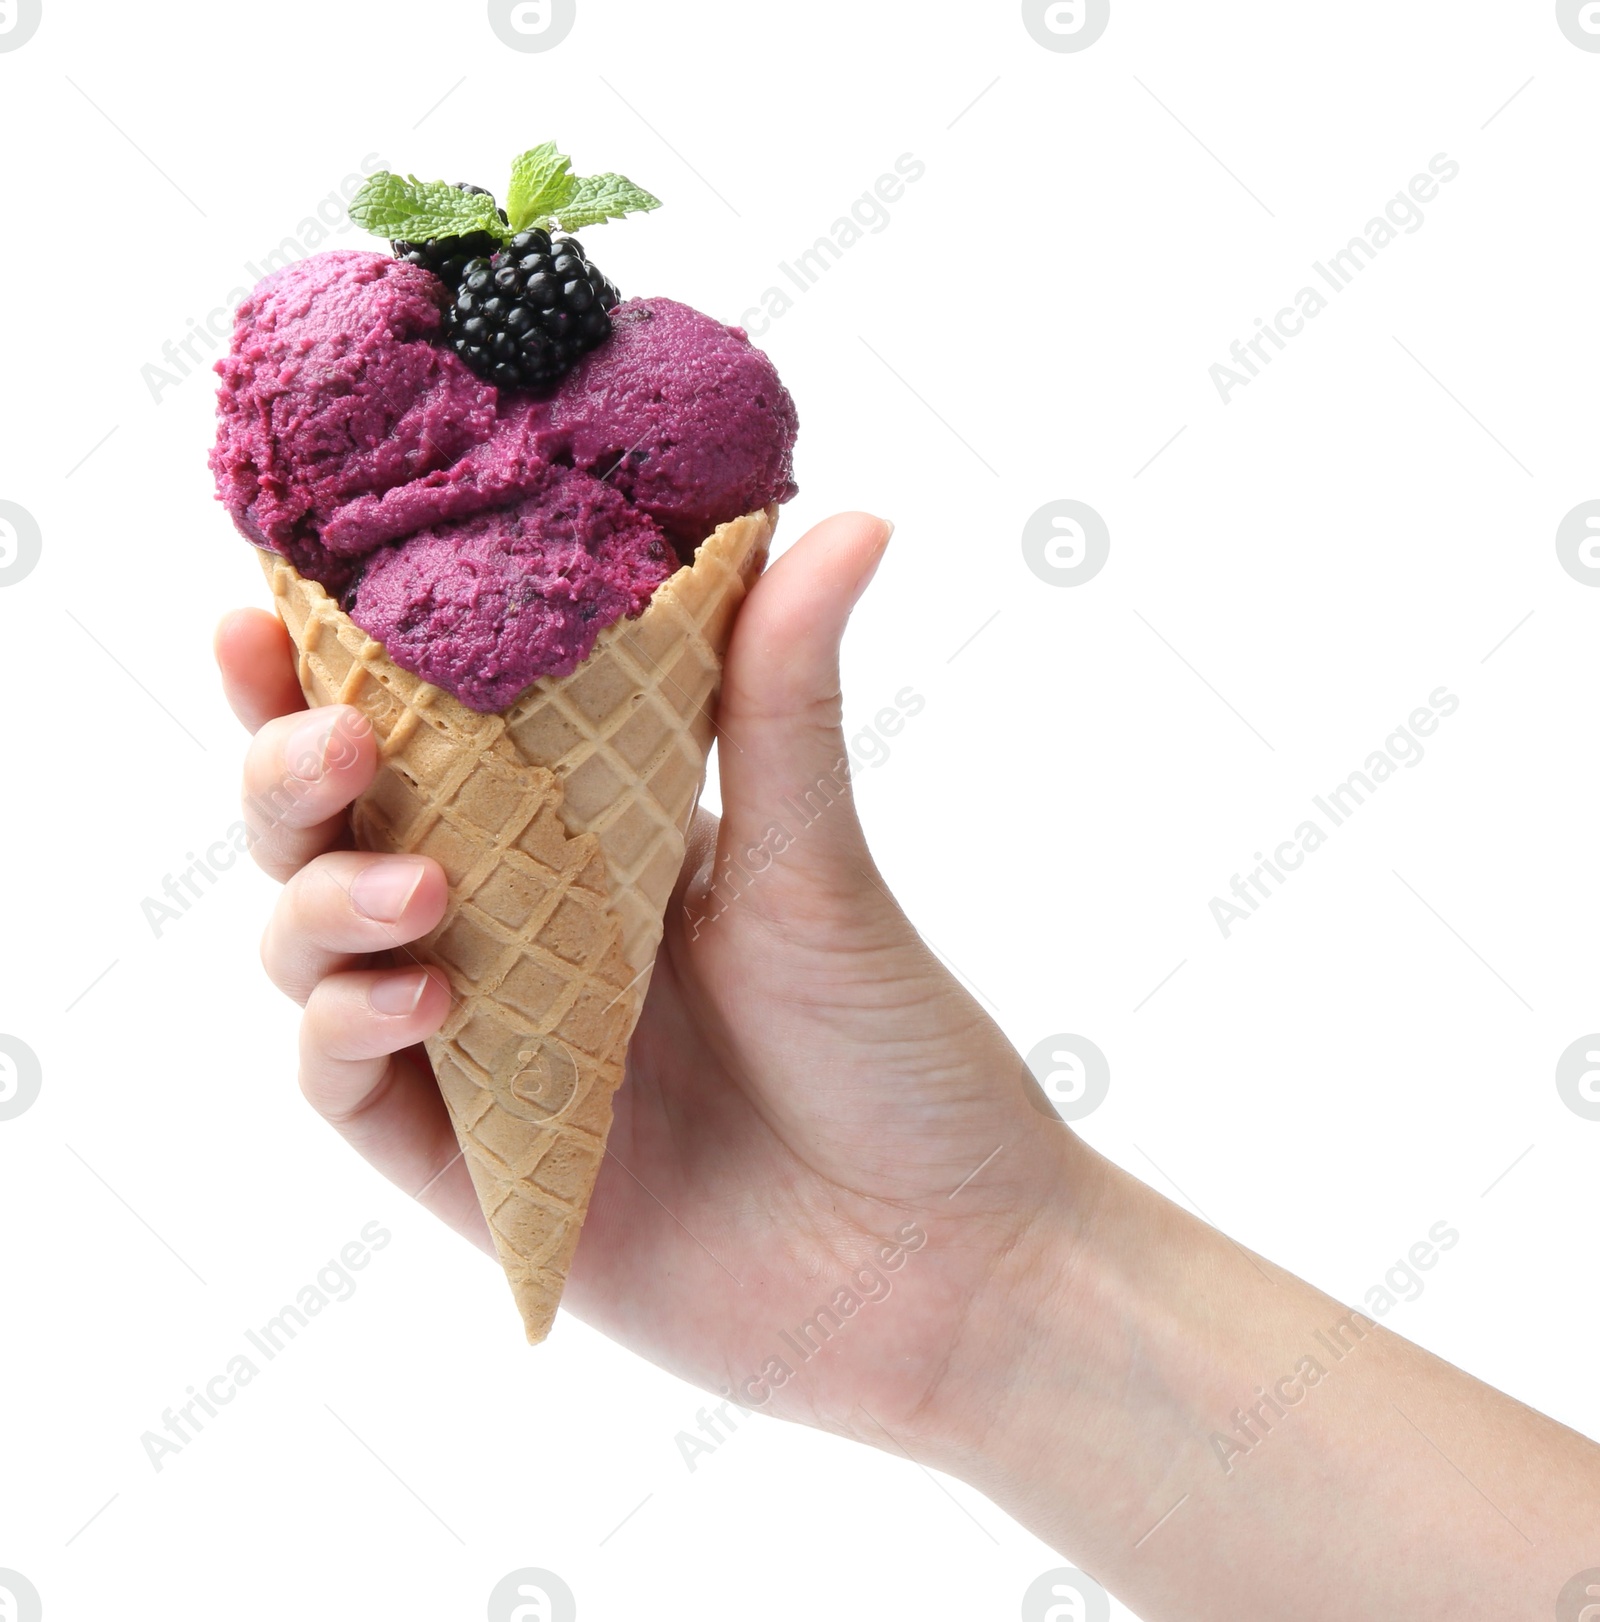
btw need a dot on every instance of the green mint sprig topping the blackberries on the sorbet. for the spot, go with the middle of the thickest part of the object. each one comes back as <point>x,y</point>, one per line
<point>544,194</point>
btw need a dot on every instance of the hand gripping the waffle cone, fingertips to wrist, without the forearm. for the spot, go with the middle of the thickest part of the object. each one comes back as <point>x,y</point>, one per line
<point>812,1102</point>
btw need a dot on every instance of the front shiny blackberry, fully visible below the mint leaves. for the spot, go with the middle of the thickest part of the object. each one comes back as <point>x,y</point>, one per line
<point>525,315</point>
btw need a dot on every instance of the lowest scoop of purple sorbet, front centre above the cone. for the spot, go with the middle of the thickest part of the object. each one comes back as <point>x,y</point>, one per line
<point>486,606</point>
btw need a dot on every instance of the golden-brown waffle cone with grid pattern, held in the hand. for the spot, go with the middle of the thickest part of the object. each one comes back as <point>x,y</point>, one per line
<point>561,826</point>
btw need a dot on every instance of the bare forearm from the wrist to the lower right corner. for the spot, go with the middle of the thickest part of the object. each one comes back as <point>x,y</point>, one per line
<point>1211,1438</point>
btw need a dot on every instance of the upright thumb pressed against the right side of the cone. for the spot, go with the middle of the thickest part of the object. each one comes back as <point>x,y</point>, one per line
<point>786,775</point>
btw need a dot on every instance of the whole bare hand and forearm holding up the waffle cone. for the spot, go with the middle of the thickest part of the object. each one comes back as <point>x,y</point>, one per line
<point>819,1118</point>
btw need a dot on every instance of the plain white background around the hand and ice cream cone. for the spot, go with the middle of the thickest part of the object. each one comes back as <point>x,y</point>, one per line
<point>1289,580</point>
